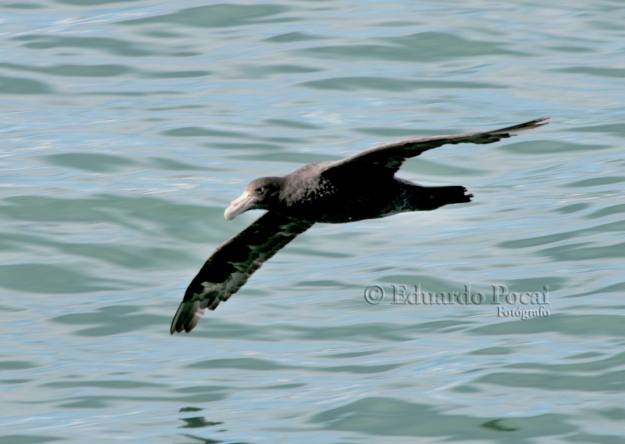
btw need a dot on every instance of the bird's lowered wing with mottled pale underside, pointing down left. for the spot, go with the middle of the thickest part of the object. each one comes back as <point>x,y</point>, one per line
<point>232,263</point>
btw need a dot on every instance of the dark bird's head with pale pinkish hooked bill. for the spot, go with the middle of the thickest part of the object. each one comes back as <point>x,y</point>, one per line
<point>260,194</point>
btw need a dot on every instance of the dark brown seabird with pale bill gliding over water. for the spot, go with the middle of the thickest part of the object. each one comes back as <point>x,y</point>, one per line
<point>359,187</point>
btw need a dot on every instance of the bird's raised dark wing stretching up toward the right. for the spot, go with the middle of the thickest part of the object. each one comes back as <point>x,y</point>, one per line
<point>388,158</point>
